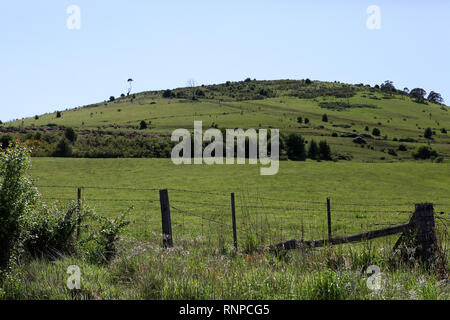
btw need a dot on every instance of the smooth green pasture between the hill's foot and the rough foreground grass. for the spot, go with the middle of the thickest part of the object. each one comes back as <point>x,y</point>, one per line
<point>364,196</point>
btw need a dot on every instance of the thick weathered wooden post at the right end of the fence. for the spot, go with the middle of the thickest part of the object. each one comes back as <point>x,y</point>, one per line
<point>426,233</point>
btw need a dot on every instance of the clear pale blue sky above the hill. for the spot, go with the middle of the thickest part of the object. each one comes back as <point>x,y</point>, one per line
<point>46,66</point>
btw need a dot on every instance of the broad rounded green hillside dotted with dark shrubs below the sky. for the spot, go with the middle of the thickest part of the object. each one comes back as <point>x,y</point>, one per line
<point>353,111</point>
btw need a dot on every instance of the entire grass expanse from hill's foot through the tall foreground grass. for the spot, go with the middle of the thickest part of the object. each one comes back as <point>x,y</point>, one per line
<point>201,267</point>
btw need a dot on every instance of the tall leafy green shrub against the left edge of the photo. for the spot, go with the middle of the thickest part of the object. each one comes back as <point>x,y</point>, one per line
<point>17,195</point>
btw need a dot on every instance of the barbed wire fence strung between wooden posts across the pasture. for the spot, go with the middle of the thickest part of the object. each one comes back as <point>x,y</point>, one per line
<point>205,216</point>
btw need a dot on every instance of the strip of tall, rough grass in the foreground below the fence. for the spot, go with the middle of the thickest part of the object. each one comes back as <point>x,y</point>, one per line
<point>143,270</point>
